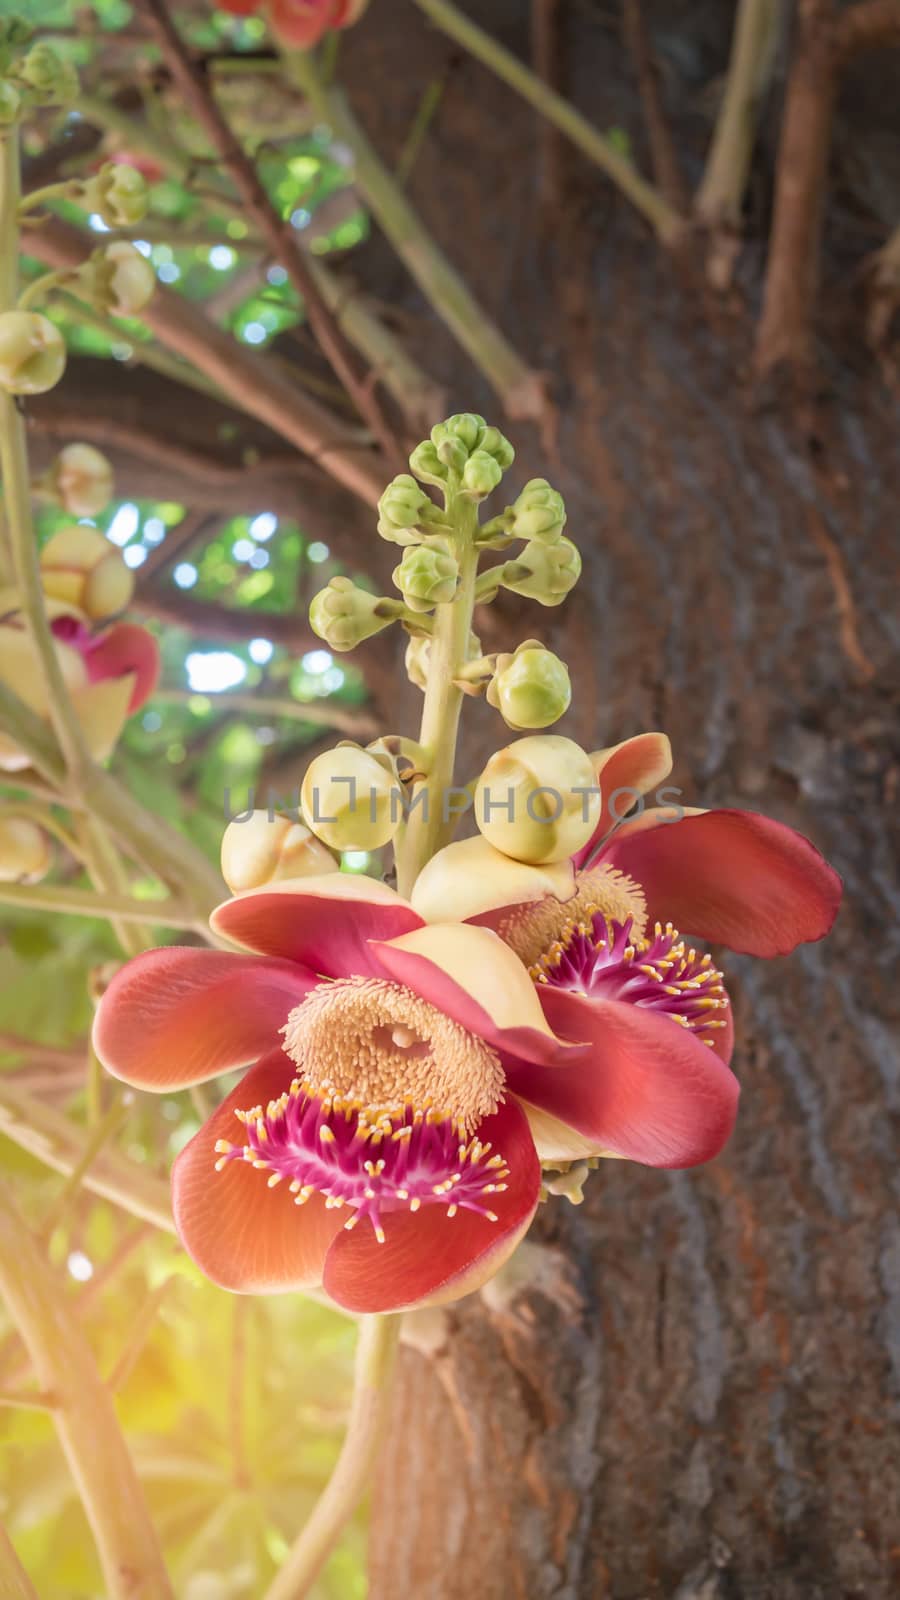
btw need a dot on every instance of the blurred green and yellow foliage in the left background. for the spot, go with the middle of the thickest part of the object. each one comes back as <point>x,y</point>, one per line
<point>233,1409</point>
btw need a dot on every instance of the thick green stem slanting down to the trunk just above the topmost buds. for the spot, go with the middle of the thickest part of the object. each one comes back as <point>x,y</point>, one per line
<point>518,386</point>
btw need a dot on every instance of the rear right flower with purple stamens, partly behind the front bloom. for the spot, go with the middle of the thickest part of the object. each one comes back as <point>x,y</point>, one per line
<point>600,930</point>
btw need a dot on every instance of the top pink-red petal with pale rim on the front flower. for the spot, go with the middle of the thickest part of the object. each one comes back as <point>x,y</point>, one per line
<point>324,924</point>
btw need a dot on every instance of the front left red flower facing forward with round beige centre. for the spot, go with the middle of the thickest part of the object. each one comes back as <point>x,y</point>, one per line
<point>380,1140</point>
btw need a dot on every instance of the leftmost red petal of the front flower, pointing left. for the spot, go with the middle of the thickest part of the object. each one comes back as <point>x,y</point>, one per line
<point>179,1017</point>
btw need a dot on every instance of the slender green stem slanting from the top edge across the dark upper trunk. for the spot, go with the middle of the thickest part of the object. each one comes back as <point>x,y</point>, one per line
<point>645,198</point>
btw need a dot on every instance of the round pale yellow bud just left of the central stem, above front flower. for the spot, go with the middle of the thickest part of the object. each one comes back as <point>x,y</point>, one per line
<point>350,799</point>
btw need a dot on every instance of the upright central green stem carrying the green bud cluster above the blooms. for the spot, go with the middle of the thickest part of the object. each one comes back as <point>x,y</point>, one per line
<point>428,825</point>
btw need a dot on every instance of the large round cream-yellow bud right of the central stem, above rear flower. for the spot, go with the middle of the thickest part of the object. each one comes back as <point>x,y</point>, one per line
<point>537,801</point>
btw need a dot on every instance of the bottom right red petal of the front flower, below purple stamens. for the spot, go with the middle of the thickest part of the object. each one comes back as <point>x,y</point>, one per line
<point>432,1257</point>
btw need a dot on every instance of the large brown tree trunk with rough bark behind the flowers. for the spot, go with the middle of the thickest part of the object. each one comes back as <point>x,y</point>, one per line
<point>707,1409</point>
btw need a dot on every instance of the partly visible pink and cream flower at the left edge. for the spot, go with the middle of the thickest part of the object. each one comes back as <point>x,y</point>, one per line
<point>110,673</point>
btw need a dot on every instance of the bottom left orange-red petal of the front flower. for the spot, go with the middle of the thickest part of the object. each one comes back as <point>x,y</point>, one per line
<point>243,1234</point>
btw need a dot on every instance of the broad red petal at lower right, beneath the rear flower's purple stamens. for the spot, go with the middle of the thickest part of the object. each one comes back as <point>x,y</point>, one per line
<point>651,1090</point>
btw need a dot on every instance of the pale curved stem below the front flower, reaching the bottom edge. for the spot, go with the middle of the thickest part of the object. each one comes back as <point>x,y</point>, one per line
<point>377,1348</point>
